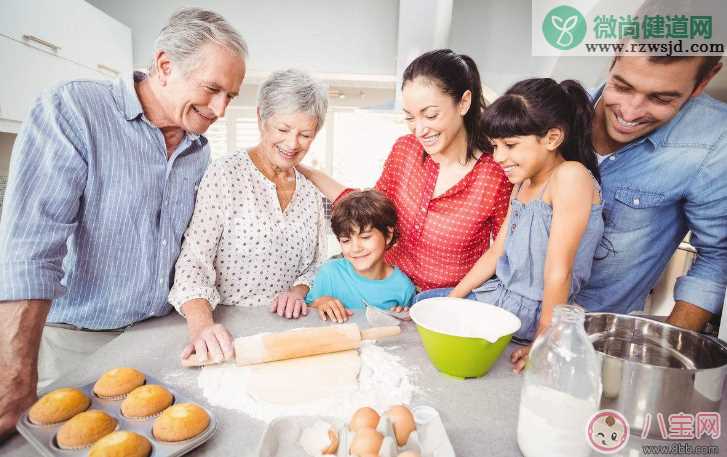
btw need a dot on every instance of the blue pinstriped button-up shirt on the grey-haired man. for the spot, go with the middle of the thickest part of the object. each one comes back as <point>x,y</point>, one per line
<point>95,212</point>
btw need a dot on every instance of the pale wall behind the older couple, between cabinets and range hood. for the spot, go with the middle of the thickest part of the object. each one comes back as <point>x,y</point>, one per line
<point>344,36</point>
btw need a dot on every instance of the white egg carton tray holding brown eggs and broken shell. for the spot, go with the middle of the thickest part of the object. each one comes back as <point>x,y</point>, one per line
<point>281,438</point>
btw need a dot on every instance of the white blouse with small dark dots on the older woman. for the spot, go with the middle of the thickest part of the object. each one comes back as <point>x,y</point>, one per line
<point>240,248</point>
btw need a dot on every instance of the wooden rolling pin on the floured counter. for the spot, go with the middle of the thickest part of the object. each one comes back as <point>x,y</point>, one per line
<point>302,342</point>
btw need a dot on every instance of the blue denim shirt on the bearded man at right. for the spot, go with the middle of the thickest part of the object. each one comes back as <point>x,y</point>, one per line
<point>655,190</point>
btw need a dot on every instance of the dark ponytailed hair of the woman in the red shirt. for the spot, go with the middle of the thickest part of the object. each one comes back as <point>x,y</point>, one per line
<point>454,74</point>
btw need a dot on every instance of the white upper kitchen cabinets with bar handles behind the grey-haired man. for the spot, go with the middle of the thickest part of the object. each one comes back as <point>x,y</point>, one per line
<point>44,42</point>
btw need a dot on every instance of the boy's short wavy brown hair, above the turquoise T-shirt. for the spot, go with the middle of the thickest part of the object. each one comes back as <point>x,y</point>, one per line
<point>363,209</point>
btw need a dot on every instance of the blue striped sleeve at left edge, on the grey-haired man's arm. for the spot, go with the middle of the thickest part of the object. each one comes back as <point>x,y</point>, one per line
<point>48,173</point>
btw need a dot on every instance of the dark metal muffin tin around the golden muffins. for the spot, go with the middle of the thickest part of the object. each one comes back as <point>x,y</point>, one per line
<point>42,437</point>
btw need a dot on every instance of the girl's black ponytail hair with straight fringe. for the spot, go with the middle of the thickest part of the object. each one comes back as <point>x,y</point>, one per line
<point>533,106</point>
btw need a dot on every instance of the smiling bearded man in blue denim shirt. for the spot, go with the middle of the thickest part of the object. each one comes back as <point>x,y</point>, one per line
<point>662,147</point>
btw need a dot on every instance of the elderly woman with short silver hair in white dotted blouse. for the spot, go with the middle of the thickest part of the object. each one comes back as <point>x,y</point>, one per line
<point>257,234</point>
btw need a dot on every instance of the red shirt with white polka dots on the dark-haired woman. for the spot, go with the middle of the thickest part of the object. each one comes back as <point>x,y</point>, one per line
<point>442,237</point>
